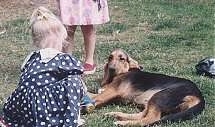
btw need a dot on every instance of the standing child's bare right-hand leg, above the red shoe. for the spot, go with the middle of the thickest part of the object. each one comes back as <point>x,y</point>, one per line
<point>89,34</point>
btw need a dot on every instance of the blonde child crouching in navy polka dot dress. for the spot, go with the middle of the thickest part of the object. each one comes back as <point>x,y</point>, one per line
<point>50,88</point>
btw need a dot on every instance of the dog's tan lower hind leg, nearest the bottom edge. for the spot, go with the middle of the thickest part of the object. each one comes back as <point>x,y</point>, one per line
<point>152,116</point>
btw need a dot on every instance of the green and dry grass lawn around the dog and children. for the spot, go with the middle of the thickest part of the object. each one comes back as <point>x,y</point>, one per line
<point>165,36</point>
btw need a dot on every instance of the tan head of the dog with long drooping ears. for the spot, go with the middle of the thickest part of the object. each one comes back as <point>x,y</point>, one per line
<point>119,62</point>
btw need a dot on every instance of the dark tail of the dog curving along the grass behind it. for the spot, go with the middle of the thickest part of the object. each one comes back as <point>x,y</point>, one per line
<point>184,115</point>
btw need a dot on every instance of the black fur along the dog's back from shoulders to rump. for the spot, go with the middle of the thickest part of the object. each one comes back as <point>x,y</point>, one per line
<point>142,80</point>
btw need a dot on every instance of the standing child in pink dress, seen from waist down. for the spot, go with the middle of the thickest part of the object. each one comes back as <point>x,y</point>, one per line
<point>86,14</point>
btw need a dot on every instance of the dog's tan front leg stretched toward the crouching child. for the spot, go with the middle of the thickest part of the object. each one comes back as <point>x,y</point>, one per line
<point>107,95</point>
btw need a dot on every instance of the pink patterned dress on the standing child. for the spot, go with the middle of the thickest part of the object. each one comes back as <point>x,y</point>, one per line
<point>84,12</point>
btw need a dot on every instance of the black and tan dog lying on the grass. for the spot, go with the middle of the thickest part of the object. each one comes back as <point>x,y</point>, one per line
<point>162,97</point>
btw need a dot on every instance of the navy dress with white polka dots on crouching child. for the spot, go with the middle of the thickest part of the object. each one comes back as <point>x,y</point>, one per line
<point>48,94</point>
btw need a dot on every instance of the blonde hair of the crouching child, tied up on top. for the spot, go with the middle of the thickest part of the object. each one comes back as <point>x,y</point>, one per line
<point>47,29</point>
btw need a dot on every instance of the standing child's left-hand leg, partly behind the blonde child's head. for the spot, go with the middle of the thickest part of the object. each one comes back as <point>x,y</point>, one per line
<point>68,47</point>
